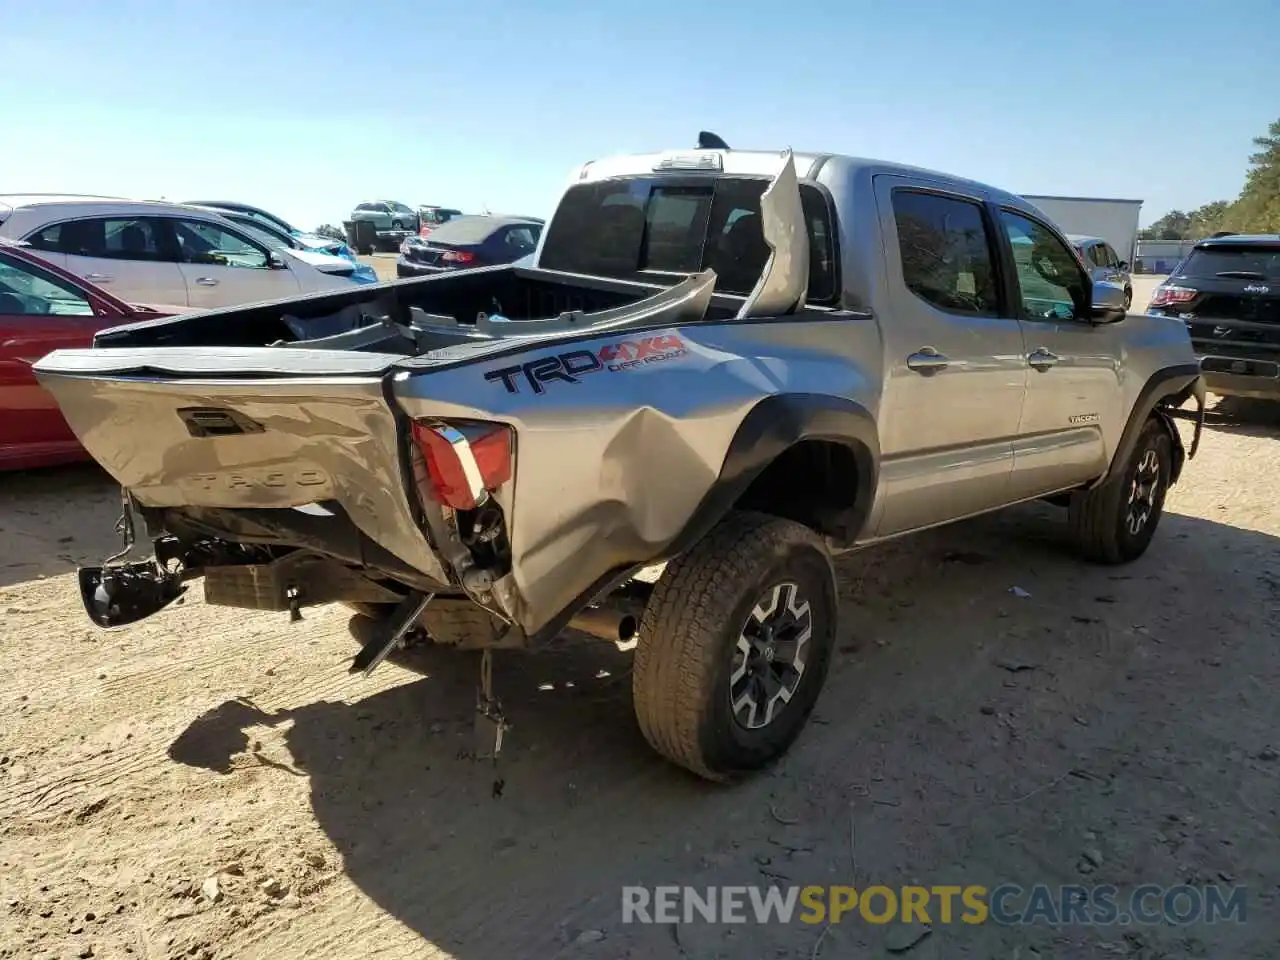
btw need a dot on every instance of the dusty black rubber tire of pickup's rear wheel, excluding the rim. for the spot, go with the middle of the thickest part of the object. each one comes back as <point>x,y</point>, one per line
<point>692,628</point>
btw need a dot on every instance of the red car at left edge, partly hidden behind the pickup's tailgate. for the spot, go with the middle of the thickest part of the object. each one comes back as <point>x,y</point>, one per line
<point>44,308</point>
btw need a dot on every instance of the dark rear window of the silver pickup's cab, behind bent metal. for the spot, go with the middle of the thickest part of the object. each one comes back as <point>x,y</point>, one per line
<point>633,228</point>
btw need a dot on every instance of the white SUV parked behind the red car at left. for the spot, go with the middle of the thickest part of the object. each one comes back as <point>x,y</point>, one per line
<point>159,254</point>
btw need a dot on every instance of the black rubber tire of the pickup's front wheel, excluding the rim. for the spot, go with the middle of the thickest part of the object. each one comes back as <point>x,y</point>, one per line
<point>1099,518</point>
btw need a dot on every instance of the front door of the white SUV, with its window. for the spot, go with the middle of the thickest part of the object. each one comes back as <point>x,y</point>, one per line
<point>223,267</point>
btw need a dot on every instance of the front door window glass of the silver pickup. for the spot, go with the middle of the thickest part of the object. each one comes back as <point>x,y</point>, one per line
<point>1050,282</point>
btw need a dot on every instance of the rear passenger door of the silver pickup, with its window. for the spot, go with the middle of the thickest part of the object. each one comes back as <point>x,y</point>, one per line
<point>956,360</point>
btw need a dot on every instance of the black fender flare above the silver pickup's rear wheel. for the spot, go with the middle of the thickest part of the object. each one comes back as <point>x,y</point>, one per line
<point>771,428</point>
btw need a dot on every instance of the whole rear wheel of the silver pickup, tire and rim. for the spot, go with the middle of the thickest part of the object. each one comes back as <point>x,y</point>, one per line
<point>735,644</point>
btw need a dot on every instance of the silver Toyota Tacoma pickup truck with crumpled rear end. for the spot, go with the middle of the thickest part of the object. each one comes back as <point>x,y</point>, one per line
<point>734,363</point>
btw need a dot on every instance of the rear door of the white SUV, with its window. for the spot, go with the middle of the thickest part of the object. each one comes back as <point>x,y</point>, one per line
<point>125,255</point>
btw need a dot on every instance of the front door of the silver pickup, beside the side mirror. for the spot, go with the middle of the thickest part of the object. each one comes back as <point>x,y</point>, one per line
<point>1073,387</point>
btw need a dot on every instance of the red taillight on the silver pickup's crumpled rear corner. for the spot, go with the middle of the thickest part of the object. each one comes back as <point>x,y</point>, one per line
<point>464,463</point>
